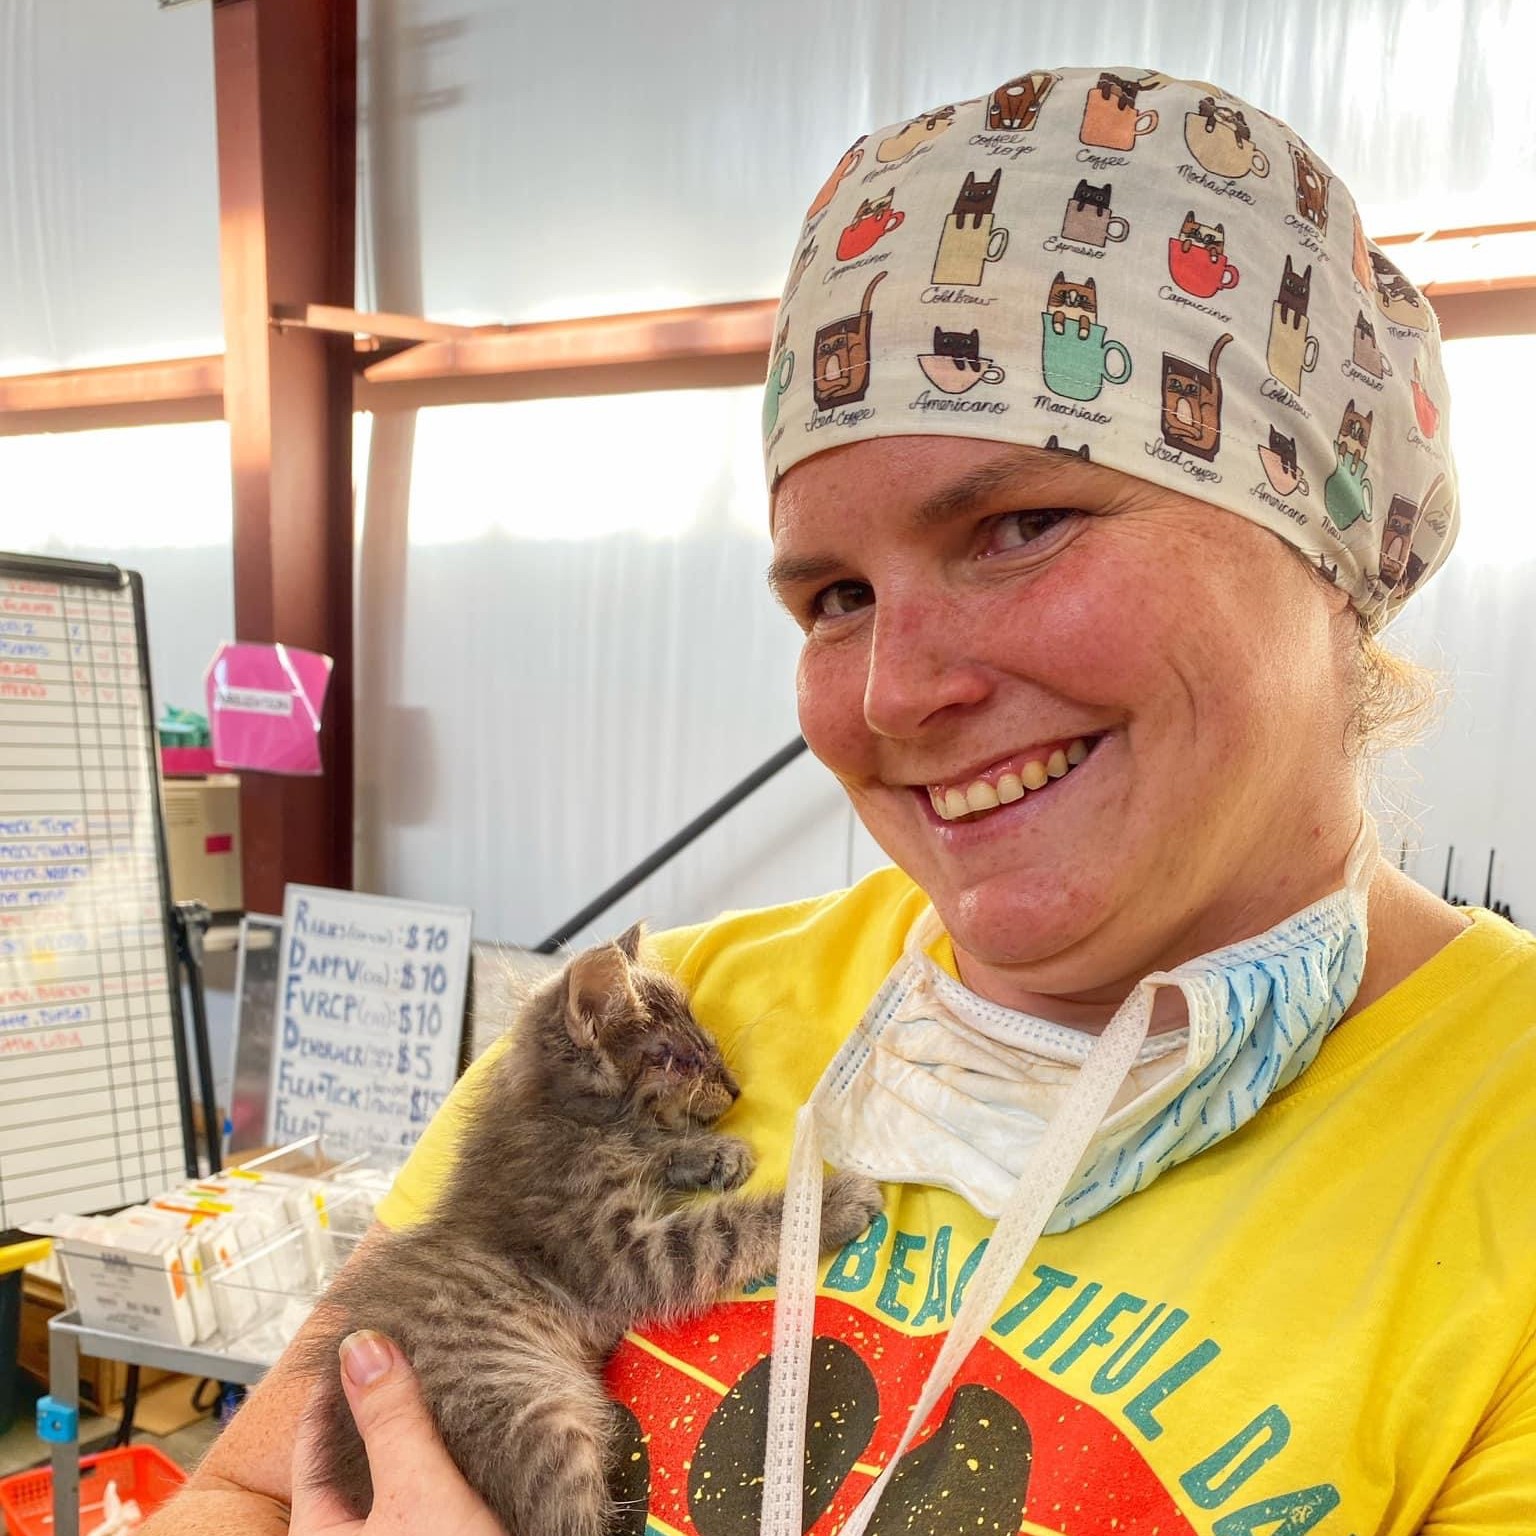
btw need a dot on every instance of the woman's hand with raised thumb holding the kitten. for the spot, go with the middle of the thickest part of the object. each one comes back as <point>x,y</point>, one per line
<point>415,1485</point>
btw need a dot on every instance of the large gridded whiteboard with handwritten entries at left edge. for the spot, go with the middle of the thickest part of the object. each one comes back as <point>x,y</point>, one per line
<point>90,1107</point>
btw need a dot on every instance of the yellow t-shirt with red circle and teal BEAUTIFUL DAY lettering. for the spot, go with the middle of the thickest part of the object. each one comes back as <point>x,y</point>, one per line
<point>1325,1323</point>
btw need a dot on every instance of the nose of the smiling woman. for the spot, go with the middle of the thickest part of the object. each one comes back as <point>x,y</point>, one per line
<point>921,666</point>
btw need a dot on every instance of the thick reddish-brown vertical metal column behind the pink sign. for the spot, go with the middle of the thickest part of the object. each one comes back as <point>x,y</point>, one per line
<point>286,101</point>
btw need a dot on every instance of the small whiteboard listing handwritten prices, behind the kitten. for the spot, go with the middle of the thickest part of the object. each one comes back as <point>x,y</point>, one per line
<point>371,1018</point>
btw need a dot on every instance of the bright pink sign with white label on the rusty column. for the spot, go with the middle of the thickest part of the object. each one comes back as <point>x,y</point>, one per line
<point>265,706</point>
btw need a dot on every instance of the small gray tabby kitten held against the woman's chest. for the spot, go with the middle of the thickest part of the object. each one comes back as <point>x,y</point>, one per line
<point>561,1230</point>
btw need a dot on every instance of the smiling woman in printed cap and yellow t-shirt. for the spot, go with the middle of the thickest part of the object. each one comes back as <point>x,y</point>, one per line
<point>1203,1131</point>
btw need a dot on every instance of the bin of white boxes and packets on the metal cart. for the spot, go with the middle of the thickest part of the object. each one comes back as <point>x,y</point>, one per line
<point>234,1262</point>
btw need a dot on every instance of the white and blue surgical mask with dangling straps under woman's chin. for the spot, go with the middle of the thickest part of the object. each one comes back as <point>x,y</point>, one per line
<point>1041,1127</point>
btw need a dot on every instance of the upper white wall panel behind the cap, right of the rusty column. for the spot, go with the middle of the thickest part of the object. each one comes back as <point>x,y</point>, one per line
<point>592,156</point>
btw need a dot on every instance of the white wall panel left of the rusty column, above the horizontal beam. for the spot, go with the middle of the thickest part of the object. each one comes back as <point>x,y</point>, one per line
<point>108,185</point>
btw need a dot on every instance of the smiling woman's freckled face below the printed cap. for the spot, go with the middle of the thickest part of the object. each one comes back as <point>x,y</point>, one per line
<point>973,609</point>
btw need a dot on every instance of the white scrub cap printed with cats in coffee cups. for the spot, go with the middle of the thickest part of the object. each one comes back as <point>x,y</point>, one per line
<point>1144,271</point>
